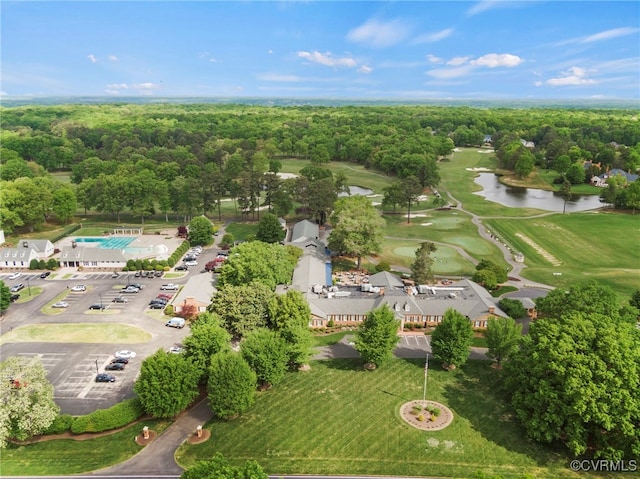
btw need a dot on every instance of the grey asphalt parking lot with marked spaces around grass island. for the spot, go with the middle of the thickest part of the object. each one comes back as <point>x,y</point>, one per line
<point>72,367</point>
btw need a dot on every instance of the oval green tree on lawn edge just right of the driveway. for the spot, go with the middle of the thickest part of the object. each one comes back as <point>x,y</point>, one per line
<point>232,385</point>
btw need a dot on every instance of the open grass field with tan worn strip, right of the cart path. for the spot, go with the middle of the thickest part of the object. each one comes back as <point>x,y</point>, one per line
<point>583,246</point>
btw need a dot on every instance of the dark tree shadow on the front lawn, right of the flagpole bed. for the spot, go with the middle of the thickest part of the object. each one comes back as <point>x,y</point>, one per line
<point>478,396</point>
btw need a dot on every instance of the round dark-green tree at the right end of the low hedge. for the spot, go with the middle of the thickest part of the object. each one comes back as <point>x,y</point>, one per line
<point>167,384</point>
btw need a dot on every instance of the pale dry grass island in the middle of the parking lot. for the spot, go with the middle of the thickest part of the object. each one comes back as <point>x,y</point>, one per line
<point>76,333</point>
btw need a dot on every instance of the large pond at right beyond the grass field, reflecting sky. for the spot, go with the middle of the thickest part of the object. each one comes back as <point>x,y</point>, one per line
<point>514,197</point>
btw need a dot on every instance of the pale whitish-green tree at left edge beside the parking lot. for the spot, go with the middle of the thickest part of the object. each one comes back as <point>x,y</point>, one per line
<point>27,406</point>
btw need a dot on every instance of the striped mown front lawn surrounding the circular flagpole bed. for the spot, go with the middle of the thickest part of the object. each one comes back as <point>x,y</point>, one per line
<point>340,419</point>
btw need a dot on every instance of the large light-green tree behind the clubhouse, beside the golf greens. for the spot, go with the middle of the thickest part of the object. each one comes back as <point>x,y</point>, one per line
<point>358,228</point>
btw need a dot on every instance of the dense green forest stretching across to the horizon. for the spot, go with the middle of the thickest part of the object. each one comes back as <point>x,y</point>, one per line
<point>185,158</point>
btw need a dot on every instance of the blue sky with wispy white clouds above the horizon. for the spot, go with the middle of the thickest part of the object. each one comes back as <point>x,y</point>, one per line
<point>353,50</point>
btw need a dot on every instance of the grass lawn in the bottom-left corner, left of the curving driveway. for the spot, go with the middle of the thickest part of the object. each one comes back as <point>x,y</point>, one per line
<point>67,456</point>
